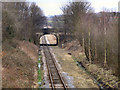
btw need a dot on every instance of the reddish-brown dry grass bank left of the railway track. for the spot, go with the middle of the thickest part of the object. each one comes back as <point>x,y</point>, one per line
<point>18,67</point>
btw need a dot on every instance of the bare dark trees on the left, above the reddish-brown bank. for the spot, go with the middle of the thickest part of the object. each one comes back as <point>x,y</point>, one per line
<point>21,20</point>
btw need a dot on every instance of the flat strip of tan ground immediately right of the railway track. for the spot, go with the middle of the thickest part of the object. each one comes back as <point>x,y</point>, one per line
<point>81,79</point>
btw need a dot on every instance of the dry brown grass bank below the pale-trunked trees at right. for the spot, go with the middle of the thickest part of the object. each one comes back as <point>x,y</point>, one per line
<point>106,75</point>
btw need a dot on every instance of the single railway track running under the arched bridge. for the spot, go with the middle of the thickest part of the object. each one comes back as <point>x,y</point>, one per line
<point>55,78</point>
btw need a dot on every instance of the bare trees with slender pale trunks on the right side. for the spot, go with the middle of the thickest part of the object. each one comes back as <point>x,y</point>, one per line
<point>97,33</point>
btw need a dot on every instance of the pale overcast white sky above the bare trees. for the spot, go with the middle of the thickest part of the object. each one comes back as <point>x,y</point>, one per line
<point>52,7</point>
